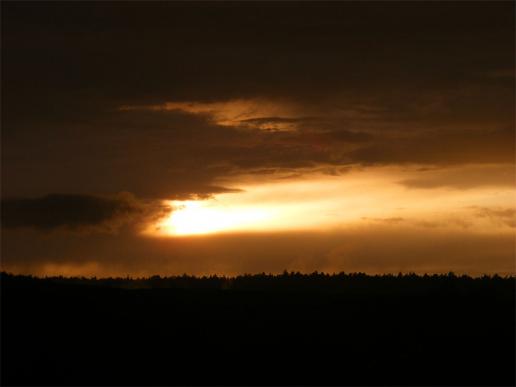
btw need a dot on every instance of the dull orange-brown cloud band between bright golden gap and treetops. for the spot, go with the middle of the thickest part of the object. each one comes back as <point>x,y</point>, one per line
<point>379,248</point>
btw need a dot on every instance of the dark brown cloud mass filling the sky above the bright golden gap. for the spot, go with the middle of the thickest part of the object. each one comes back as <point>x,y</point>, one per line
<point>425,82</point>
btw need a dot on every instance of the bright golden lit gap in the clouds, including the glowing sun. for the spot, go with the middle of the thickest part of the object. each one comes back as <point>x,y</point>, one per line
<point>318,202</point>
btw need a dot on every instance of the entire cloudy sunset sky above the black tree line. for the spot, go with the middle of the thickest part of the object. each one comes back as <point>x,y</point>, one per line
<point>143,138</point>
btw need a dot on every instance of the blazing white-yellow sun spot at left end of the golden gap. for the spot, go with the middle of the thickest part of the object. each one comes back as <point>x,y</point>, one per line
<point>205,217</point>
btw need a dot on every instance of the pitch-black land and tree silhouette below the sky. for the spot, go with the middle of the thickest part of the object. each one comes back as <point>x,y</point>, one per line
<point>260,330</point>
